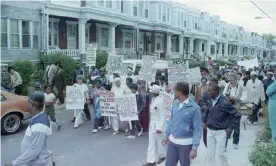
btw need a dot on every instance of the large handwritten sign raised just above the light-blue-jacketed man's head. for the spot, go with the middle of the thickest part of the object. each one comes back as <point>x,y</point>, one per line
<point>178,71</point>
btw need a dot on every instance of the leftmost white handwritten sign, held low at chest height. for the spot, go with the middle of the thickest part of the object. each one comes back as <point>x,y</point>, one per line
<point>74,98</point>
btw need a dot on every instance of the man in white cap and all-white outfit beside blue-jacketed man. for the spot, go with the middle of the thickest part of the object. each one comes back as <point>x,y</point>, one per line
<point>156,150</point>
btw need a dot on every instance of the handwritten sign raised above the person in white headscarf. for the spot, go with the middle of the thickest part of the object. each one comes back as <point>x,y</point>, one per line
<point>114,63</point>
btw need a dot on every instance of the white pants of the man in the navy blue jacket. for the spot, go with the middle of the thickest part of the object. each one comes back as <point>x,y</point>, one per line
<point>216,141</point>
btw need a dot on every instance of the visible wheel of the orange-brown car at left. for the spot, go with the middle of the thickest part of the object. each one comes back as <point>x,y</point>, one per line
<point>11,123</point>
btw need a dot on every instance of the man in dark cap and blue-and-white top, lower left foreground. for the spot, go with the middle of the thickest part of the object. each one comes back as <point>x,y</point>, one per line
<point>34,149</point>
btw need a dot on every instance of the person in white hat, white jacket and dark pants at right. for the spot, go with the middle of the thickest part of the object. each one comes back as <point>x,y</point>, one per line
<point>255,94</point>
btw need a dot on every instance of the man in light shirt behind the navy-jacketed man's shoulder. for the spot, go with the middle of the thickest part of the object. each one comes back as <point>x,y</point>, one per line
<point>233,91</point>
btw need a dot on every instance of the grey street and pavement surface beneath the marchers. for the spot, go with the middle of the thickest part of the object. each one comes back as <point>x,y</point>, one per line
<point>73,147</point>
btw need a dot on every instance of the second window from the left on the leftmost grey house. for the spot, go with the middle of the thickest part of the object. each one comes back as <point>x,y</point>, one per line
<point>14,33</point>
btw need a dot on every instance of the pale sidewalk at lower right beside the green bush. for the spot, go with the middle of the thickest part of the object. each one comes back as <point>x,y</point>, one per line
<point>236,157</point>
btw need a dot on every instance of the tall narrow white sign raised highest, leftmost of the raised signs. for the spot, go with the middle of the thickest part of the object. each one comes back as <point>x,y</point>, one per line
<point>91,56</point>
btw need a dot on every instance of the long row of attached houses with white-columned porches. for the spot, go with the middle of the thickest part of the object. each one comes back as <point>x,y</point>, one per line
<point>165,28</point>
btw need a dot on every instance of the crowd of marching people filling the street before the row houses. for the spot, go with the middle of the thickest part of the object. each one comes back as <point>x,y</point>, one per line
<point>211,108</point>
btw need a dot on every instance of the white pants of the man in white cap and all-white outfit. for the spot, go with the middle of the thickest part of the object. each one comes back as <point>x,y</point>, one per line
<point>156,149</point>
